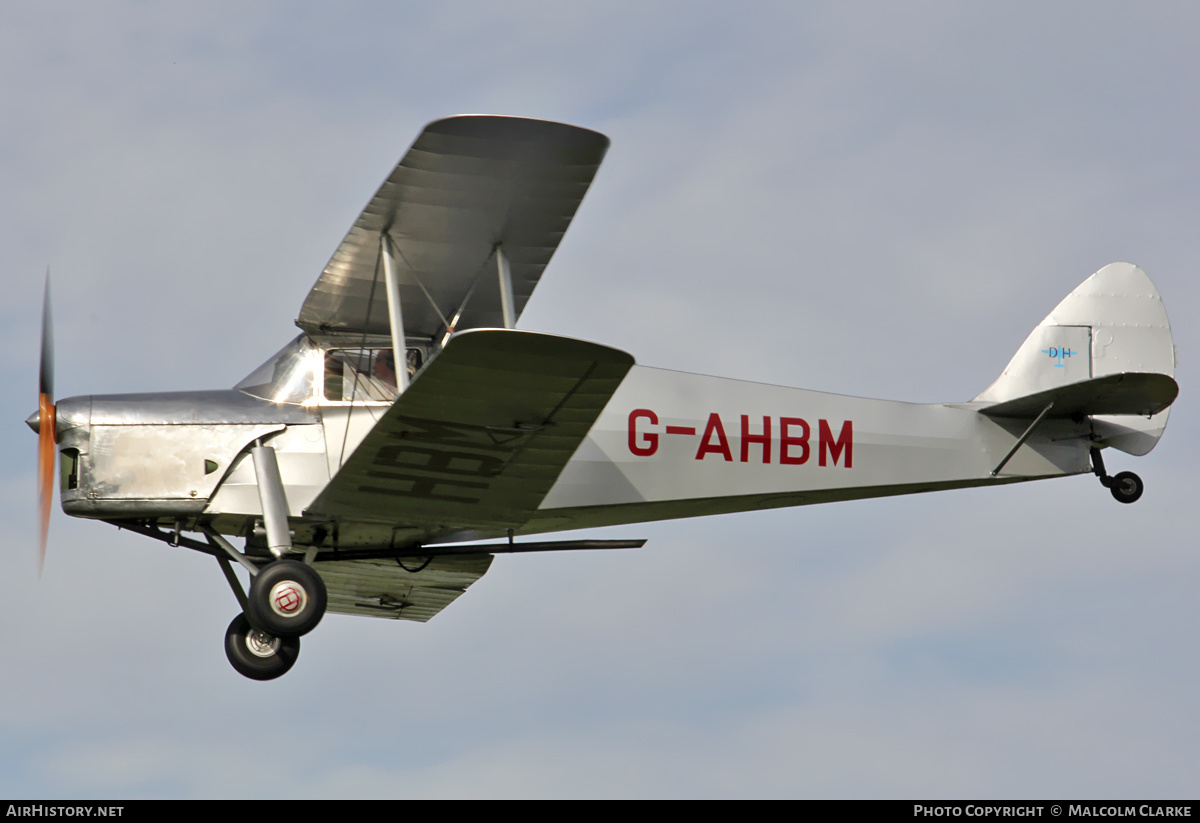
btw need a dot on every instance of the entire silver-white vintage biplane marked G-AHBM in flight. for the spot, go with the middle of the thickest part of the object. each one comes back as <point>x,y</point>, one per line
<point>410,419</point>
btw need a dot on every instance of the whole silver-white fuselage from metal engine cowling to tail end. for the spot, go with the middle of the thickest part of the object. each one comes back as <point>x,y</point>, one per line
<point>668,444</point>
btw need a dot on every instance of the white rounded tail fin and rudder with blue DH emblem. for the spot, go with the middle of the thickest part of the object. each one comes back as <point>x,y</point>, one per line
<point>1114,323</point>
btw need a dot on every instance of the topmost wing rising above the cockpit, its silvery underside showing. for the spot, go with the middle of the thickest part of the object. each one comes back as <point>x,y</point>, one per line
<point>467,185</point>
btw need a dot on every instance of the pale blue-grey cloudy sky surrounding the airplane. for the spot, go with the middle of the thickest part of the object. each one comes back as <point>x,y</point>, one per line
<point>878,200</point>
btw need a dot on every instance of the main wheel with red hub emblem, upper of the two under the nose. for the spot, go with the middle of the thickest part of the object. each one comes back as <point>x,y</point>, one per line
<point>287,599</point>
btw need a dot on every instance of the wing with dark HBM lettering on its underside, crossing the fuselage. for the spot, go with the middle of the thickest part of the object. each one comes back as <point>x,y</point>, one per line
<point>478,440</point>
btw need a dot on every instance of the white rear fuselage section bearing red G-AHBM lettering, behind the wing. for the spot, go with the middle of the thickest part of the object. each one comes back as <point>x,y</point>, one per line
<point>674,444</point>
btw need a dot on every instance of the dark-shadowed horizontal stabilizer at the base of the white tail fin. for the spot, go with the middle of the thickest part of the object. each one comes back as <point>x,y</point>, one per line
<point>1129,393</point>
